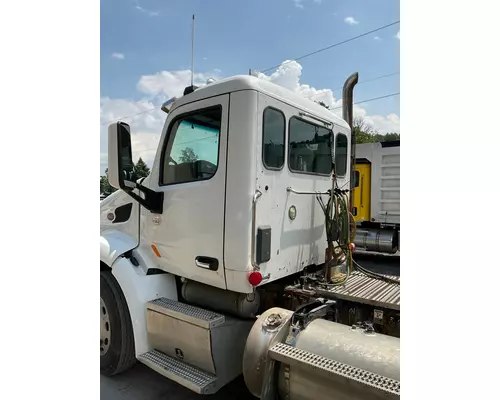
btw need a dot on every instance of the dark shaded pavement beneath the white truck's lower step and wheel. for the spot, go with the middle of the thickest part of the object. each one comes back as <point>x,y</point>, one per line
<point>141,383</point>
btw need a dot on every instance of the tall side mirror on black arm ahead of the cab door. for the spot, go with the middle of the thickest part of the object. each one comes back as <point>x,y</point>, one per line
<point>120,164</point>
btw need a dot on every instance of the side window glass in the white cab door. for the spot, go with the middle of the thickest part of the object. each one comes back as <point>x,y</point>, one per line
<point>192,150</point>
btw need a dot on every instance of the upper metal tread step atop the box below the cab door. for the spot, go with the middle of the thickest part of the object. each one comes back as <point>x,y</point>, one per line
<point>194,315</point>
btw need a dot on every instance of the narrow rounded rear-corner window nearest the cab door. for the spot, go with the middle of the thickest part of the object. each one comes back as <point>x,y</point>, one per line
<point>273,139</point>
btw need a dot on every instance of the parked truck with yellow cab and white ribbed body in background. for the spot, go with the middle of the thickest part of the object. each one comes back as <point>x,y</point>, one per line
<point>376,197</point>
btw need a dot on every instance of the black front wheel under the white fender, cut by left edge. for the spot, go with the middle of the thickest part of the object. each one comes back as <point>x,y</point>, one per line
<point>117,336</point>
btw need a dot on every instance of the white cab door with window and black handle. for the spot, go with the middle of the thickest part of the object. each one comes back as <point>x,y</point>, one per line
<point>190,169</point>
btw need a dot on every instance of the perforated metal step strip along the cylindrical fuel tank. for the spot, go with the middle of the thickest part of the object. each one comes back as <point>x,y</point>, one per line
<point>296,357</point>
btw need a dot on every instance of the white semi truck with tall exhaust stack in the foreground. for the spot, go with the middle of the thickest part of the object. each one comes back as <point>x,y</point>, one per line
<point>234,256</point>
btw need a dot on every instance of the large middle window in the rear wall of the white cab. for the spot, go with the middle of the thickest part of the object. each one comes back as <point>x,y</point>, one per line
<point>309,148</point>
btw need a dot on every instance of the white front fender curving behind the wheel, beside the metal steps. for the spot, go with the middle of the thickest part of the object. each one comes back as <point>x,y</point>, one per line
<point>139,288</point>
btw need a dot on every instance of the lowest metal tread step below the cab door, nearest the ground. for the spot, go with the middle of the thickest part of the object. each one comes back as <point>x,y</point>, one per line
<point>186,375</point>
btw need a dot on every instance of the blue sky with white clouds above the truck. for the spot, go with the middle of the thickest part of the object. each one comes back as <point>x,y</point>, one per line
<point>145,55</point>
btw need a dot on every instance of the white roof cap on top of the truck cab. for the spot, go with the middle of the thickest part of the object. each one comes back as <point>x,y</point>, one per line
<point>248,82</point>
